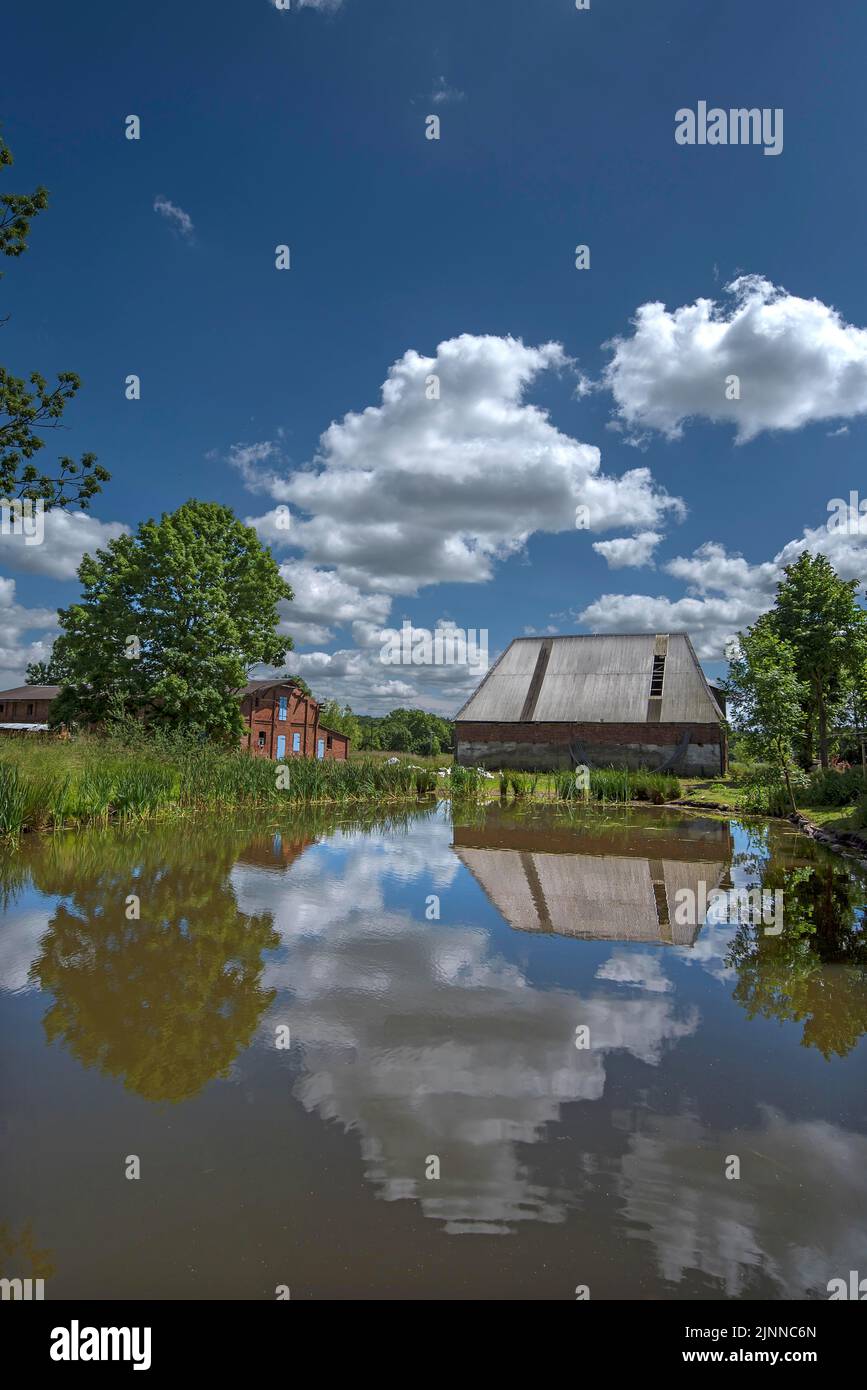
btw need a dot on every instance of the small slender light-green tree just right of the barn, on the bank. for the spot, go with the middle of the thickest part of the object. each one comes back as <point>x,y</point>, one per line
<point>768,698</point>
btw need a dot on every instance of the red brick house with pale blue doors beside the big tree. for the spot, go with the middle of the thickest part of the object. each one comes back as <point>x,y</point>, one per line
<point>283,722</point>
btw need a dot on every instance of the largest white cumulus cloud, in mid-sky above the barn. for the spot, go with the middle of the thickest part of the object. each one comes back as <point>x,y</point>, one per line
<point>420,491</point>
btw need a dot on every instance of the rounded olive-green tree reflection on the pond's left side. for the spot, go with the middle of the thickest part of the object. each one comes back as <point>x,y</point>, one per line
<point>169,1001</point>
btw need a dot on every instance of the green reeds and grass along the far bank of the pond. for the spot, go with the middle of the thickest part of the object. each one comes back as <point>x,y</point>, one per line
<point>51,785</point>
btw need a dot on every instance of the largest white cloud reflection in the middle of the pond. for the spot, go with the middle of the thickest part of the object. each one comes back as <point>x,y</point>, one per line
<point>422,1040</point>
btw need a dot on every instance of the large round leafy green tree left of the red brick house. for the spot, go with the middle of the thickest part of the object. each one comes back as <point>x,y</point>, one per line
<point>172,621</point>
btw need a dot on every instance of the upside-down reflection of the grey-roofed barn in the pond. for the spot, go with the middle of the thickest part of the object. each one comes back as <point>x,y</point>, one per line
<point>615,886</point>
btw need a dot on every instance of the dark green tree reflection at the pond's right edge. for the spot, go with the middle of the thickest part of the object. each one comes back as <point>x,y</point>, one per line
<point>816,971</point>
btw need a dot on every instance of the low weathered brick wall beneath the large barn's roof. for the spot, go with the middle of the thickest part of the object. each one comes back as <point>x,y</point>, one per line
<point>536,747</point>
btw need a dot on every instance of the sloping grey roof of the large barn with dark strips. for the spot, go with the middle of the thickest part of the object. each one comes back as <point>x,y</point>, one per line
<point>597,679</point>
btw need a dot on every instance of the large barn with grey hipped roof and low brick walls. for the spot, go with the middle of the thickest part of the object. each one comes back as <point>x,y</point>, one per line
<point>604,701</point>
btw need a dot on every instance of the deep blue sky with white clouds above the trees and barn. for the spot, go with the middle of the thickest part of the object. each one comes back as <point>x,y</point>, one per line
<point>308,129</point>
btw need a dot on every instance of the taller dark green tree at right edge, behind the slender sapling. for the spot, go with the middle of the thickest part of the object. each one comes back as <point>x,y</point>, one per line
<point>816,614</point>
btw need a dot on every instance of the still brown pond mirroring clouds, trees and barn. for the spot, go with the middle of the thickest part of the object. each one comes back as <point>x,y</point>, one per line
<point>483,1054</point>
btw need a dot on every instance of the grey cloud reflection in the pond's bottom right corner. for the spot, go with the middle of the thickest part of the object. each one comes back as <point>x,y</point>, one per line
<point>795,1175</point>
